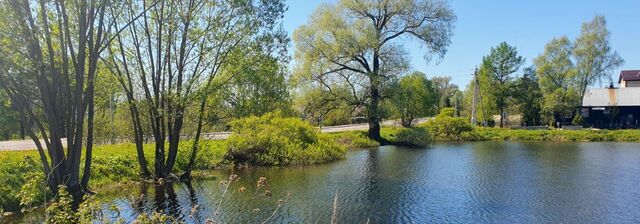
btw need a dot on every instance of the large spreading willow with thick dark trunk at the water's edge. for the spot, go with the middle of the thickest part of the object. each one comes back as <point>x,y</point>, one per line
<point>363,38</point>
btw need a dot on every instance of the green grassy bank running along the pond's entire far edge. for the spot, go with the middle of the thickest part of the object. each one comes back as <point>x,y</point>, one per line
<point>22,174</point>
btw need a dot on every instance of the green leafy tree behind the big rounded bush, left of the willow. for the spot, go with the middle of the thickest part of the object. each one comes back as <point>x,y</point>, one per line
<point>253,81</point>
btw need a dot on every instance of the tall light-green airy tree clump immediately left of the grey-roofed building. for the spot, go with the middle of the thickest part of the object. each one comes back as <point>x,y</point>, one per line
<point>566,68</point>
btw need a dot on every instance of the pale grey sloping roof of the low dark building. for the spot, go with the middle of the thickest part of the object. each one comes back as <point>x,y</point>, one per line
<point>611,97</point>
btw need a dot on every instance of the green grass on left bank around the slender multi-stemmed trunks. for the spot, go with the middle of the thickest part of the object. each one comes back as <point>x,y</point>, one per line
<point>111,164</point>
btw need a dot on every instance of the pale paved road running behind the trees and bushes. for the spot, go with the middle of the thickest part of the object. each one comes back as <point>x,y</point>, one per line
<point>29,145</point>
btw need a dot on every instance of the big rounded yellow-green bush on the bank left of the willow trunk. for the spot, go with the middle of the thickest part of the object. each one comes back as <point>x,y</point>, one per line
<point>275,140</point>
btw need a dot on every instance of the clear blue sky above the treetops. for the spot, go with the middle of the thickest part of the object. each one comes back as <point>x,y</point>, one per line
<point>528,25</point>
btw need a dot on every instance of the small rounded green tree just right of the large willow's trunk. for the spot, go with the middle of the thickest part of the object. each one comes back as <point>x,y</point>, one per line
<point>413,96</point>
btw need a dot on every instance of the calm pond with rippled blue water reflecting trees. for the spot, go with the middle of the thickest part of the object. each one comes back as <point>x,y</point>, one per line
<point>483,182</point>
